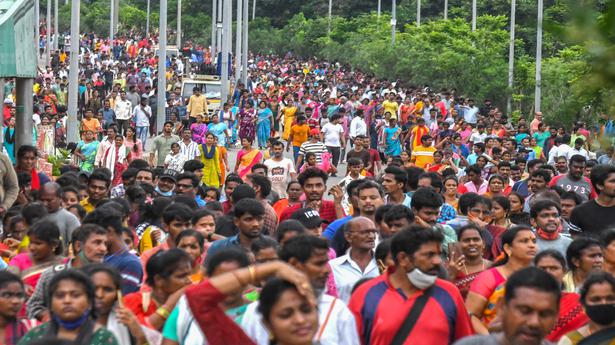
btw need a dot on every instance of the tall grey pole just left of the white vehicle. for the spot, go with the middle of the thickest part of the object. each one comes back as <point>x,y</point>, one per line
<point>162,65</point>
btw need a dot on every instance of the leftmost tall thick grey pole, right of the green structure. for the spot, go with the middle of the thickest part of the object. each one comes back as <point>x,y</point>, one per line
<point>72,133</point>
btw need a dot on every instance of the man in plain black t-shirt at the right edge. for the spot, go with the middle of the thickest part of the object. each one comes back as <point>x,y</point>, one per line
<point>593,217</point>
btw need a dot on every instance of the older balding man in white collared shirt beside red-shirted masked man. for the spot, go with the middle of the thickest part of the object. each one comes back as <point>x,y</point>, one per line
<point>359,261</point>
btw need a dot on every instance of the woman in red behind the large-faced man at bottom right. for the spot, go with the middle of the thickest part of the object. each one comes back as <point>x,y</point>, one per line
<point>571,315</point>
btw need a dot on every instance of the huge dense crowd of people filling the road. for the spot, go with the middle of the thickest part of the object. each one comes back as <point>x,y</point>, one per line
<point>359,211</point>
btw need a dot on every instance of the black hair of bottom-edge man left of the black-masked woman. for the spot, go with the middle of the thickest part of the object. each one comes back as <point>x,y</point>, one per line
<point>534,278</point>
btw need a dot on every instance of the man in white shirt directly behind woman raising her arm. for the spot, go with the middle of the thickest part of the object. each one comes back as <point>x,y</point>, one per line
<point>337,324</point>
